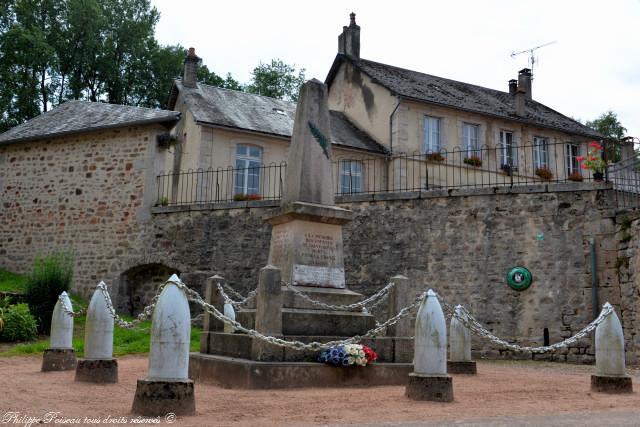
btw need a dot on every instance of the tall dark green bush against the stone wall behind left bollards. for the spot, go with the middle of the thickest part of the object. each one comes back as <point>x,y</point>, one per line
<point>49,277</point>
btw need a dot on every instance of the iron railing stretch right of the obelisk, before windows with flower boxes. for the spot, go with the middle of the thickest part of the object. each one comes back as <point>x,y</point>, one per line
<point>503,165</point>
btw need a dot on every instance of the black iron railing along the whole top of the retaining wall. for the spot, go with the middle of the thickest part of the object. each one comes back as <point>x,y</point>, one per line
<point>500,166</point>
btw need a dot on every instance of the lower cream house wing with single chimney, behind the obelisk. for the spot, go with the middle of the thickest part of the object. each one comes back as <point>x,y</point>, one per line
<point>237,142</point>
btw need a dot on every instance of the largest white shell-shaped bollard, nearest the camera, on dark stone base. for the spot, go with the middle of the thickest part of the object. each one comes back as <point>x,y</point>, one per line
<point>168,387</point>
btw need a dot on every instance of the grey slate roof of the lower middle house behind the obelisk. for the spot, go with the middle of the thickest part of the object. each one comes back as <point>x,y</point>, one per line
<point>215,106</point>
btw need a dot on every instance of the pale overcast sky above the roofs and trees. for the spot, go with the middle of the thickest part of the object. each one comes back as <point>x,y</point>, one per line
<point>593,66</point>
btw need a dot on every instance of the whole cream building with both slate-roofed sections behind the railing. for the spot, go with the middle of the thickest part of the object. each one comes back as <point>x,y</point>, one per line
<point>393,129</point>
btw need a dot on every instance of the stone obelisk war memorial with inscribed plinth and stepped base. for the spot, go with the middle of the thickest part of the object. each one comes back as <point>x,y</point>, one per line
<point>301,295</point>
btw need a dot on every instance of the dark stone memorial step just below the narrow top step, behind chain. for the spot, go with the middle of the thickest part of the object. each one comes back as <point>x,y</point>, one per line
<point>315,322</point>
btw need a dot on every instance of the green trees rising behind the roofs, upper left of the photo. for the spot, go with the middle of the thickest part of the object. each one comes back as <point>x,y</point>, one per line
<point>101,50</point>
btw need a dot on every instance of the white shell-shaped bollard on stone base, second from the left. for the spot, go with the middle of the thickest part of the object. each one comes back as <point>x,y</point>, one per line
<point>98,364</point>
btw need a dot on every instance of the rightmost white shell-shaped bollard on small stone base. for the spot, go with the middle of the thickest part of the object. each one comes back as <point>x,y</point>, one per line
<point>610,376</point>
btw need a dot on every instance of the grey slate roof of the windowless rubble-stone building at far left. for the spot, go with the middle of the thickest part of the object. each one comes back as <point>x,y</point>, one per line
<point>82,116</point>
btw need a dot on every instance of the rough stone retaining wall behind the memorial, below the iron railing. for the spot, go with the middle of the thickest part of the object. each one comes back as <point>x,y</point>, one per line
<point>461,245</point>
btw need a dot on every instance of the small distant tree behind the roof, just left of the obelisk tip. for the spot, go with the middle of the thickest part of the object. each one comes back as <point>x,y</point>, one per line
<point>277,80</point>
